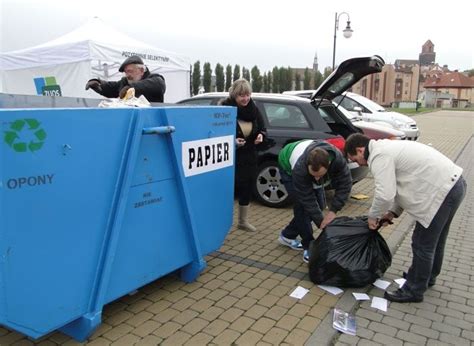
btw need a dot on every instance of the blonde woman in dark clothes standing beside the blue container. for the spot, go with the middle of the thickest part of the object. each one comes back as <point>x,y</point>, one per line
<point>250,133</point>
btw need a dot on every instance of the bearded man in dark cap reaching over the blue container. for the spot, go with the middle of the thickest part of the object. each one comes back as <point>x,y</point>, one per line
<point>151,85</point>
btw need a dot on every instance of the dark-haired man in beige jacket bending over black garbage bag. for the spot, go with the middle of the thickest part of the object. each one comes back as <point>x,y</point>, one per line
<point>426,184</point>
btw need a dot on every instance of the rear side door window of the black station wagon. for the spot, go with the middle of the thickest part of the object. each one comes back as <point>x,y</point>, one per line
<point>280,115</point>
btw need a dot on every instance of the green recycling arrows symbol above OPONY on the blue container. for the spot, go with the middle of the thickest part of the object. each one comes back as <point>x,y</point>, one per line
<point>25,135</point>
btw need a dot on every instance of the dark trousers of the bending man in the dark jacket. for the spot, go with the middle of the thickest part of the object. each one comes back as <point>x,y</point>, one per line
<point>300,225</point>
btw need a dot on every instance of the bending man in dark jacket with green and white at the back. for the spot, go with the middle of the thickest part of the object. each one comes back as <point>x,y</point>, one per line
<point>306,167</point>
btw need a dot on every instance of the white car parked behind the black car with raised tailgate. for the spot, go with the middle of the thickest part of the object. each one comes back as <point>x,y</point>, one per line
<point>367,110</point>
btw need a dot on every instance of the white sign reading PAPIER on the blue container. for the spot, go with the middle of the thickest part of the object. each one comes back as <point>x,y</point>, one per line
<point>206,155</point>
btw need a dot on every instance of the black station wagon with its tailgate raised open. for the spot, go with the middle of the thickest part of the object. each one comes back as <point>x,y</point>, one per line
<point>291,118</point>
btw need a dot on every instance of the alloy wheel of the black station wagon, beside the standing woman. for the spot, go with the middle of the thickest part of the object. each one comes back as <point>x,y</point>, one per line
<point>269,189</point>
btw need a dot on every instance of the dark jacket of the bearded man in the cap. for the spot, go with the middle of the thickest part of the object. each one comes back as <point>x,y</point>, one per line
<point>152,86</point>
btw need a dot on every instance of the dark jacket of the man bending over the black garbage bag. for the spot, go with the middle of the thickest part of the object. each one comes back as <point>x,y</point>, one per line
<point>338,173</point>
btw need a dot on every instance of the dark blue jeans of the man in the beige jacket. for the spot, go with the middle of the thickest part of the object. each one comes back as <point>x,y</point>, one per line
<point>428,243</point>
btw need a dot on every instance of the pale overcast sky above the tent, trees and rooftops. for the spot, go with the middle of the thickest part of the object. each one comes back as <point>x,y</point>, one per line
<point>262,33</point>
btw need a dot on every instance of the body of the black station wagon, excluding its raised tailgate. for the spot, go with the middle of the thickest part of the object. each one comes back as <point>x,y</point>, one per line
<point>288,119</point>
